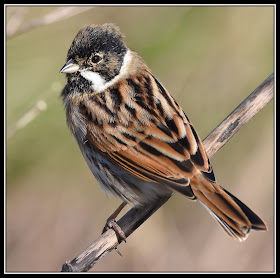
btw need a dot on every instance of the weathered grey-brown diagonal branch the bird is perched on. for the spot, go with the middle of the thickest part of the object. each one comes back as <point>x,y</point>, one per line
<point>108,241</point>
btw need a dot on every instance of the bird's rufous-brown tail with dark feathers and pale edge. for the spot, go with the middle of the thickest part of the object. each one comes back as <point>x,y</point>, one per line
<point>234,216</point>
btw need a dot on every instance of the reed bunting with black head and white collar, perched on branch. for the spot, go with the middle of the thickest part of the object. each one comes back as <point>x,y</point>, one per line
<point>134,136</point>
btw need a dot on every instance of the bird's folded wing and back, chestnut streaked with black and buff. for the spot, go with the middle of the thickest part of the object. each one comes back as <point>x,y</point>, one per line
<point>140,128</point>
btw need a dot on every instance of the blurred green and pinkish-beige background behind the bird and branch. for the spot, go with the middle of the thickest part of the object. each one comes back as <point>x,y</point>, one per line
<point>210,59</point>
